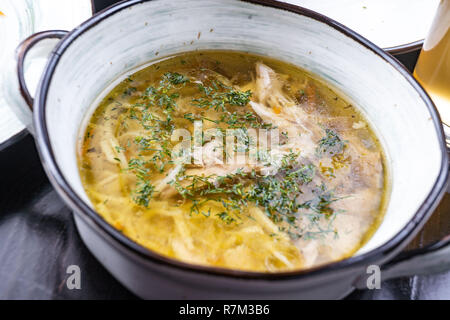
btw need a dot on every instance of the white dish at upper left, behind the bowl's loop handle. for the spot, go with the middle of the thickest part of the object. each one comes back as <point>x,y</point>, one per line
<point>22,18</point>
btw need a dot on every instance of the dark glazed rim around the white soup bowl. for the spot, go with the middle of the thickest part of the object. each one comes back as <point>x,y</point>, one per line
<point>81,208</point>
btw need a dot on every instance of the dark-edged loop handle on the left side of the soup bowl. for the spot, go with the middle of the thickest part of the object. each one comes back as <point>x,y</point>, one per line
<point>21,53</point>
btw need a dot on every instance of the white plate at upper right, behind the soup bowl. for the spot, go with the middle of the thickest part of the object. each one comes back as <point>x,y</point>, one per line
<point>393,25</point>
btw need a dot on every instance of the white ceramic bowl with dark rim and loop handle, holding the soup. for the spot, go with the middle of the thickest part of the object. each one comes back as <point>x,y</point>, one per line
<point>116,42</point>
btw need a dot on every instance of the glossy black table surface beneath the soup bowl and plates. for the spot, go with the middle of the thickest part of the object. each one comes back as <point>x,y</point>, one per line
<point>38,239</point>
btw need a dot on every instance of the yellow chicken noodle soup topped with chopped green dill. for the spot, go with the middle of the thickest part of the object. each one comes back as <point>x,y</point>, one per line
<point>234,160</point>
